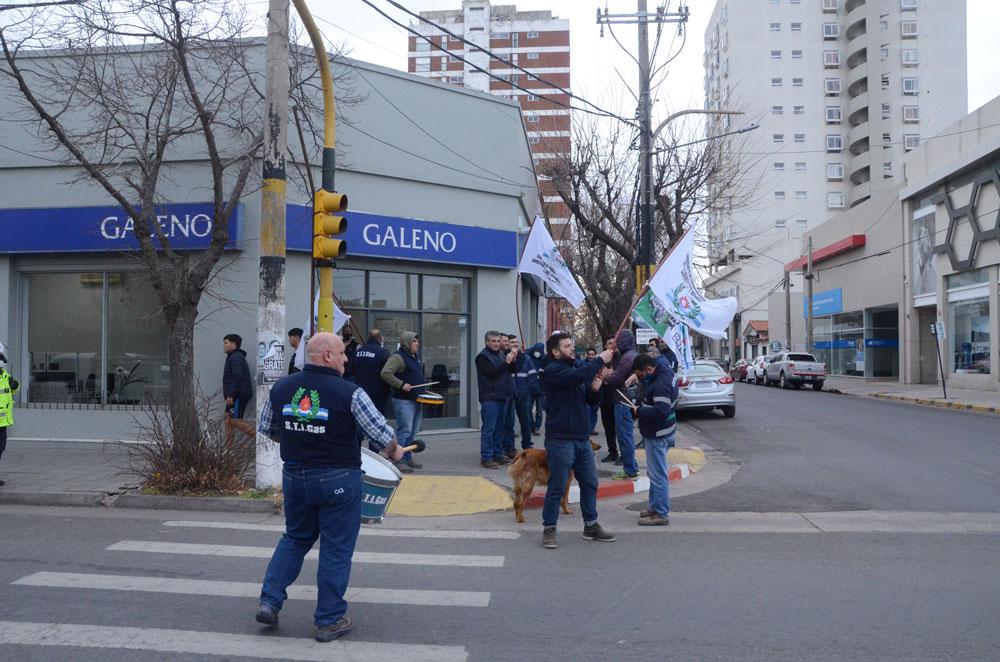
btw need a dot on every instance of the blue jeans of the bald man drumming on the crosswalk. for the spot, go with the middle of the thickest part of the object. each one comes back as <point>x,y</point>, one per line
<point>324,504</point>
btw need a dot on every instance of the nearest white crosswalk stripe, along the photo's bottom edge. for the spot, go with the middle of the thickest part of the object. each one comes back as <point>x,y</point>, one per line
<point>221,644</point>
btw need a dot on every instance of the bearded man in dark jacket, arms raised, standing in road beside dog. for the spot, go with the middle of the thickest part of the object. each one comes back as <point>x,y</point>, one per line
<point>568,389</point>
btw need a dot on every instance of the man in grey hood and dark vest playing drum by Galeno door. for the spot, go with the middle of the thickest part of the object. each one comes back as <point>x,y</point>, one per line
<point>403,371</point>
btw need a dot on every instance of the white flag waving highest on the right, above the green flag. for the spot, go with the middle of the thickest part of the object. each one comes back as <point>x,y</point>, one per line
<point>675,285</point>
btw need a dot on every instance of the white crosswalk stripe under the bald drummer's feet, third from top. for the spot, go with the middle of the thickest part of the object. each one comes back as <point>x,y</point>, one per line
<point>180,585</point>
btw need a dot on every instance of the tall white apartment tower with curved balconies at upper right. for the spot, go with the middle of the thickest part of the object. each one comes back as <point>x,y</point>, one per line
<point>841,90</point>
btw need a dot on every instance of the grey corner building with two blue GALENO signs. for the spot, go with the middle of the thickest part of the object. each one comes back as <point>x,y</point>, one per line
<point>432,248</point>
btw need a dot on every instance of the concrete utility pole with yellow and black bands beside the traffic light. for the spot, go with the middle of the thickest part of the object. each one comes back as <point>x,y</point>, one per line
<point>271,295</point>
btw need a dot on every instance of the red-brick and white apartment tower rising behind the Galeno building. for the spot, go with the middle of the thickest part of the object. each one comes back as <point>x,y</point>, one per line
<point>534,40</point>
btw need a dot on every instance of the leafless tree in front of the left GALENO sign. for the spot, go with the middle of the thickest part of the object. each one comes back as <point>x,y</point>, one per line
<point>130,91</point>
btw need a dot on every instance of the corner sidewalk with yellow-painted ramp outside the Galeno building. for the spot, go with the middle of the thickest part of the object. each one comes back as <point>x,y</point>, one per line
<point>451,482</point>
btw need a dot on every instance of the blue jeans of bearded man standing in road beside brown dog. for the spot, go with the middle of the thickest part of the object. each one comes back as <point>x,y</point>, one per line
<point>564,455</point>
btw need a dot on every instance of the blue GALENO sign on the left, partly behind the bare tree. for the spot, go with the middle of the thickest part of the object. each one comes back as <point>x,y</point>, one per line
<point>187,226</point>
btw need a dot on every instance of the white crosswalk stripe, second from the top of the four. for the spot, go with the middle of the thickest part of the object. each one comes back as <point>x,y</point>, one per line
<point>455,560</point>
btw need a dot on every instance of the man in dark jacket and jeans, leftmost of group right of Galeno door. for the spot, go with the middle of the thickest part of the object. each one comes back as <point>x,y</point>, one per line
<point>494,371</point>
